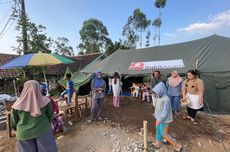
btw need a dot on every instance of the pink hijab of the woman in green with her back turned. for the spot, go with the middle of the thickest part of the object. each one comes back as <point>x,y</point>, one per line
<point>31,99</point>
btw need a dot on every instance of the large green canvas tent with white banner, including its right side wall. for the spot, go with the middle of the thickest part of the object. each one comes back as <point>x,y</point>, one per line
<point>209,55</point>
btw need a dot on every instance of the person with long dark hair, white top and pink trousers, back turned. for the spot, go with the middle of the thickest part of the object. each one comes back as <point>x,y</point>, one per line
<point>116,85</point>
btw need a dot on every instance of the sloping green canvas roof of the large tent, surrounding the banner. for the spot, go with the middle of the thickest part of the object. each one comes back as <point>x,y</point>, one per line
<point>208,54</point>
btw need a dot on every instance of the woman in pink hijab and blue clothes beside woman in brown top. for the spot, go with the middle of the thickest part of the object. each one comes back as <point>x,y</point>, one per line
<point>174,85</point>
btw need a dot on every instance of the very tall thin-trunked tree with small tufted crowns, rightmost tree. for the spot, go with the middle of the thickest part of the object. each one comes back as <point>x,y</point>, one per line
<point>157,22</point>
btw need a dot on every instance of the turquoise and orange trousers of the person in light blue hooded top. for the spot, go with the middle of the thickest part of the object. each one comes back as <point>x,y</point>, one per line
<point>162,132</point>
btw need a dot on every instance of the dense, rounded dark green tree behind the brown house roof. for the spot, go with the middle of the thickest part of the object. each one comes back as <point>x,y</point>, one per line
<point>94,36</point>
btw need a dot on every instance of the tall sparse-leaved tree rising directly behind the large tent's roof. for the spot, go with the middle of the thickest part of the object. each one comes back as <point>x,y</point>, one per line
<point>137,23</point>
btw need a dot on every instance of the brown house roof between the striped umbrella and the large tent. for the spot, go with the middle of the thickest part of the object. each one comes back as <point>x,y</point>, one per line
<point>80,62</point>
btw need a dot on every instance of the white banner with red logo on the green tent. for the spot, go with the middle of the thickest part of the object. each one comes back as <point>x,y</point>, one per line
<point>164,64</point>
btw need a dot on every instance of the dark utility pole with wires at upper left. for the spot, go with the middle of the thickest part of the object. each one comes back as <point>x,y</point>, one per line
<point>24,26</point>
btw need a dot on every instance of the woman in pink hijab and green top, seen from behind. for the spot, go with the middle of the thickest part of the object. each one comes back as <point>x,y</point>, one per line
<point>31,117</point>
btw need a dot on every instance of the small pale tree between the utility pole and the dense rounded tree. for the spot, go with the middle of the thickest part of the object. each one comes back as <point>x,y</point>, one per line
<point>62,48</point>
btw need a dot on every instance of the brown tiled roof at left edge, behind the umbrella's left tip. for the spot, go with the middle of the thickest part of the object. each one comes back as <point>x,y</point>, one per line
<point>9,73</point>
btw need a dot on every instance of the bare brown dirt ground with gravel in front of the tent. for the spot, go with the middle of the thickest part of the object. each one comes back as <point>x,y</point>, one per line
<point>121,131</point>
